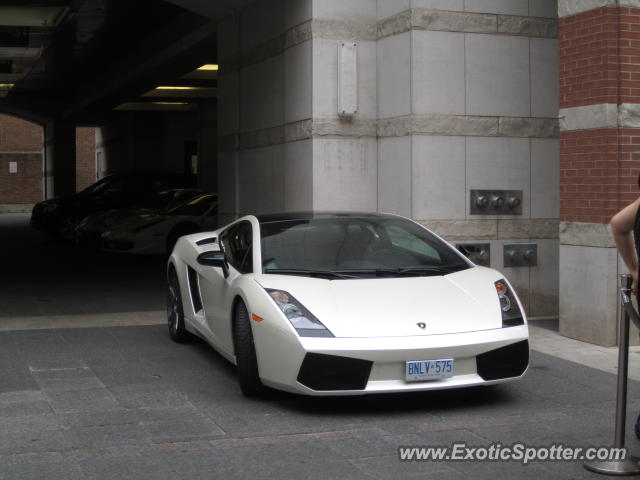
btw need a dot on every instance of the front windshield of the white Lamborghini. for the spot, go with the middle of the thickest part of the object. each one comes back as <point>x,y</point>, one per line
<point>357,245</point>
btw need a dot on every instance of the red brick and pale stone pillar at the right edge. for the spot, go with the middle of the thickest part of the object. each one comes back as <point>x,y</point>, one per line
<point>600,105</point>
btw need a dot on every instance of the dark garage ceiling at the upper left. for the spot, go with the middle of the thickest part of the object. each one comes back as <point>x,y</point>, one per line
<point>77,60</point>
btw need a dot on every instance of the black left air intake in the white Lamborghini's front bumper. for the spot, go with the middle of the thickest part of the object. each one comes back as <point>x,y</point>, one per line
<point>330,372</point>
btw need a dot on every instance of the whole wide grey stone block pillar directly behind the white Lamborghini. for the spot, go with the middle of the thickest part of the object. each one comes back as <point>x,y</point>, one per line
<point>451,96</point>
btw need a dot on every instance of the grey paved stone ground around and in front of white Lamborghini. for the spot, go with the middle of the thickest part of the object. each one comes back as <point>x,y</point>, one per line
<point>124,402</point>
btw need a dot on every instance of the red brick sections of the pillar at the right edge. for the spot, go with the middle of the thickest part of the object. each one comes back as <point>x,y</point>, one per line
<point>599,63</point>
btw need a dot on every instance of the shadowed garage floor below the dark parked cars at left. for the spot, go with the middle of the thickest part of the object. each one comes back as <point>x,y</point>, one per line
<point>46,282</point>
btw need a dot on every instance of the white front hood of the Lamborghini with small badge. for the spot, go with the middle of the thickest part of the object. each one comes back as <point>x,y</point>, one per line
<point>376,307</point>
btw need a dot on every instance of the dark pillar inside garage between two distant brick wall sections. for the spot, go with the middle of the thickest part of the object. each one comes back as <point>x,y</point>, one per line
<point>60,159</point>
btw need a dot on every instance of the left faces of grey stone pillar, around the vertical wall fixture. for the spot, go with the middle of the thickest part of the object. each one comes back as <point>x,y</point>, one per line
<point>282,144</point>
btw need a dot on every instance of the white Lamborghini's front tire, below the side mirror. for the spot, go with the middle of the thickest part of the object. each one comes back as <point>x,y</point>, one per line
<point>245,350</point>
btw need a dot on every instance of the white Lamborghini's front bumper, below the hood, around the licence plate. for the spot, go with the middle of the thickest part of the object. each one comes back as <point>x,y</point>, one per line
<point>387,357</point>
